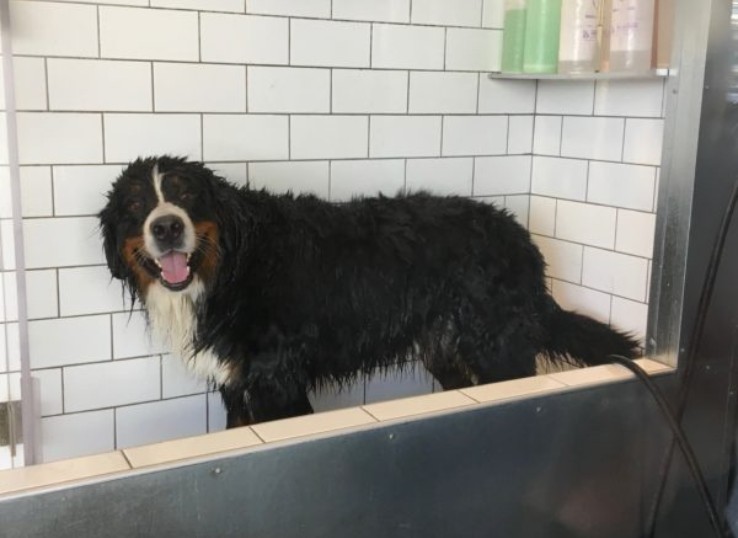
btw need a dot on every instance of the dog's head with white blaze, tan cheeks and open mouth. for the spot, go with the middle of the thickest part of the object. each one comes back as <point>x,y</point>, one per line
<point>160,224</point>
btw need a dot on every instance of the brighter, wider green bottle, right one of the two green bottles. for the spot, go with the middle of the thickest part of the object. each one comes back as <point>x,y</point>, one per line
<point>542,25</point>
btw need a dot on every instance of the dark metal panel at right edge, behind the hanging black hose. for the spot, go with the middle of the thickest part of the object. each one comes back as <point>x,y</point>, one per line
<point>711,399</point>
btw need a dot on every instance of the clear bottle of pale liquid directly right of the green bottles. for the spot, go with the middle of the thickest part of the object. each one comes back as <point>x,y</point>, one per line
<point>581,37</point>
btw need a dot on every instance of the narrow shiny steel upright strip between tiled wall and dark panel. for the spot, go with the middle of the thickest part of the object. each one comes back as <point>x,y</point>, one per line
<point>676,183</point>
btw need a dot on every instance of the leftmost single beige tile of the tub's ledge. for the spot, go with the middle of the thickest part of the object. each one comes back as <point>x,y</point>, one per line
<point>60,472</point>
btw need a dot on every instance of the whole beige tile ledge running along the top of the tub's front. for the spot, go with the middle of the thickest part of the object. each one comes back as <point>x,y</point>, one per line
<point>185,451</point>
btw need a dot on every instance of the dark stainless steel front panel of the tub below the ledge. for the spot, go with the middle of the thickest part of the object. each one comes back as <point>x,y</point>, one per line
<point>565,466</point>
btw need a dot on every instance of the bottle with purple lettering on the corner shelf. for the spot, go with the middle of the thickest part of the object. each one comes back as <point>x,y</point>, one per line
<point>631,35</point>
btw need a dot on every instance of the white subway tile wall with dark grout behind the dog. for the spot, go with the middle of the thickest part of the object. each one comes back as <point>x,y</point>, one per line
<point>337,98</point>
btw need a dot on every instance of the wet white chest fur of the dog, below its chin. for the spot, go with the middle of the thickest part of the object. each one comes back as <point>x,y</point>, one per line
<point>173,320</point>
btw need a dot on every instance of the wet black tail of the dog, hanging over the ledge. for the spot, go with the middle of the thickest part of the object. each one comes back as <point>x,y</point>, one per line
<point>581,340</point>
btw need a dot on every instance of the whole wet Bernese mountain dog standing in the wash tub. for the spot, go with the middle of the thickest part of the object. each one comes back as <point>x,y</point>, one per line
<point>269,296</point>
